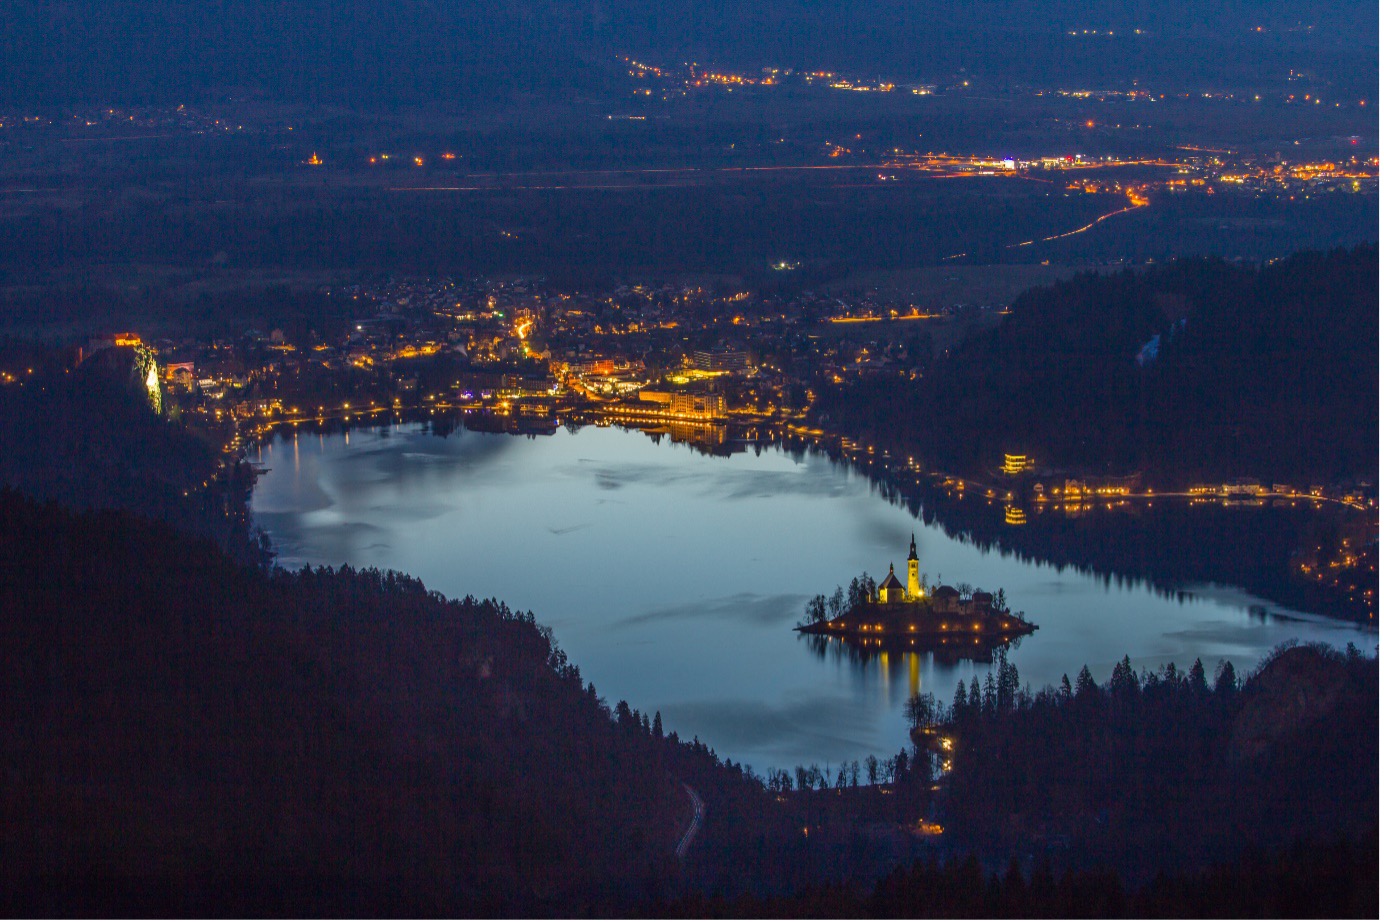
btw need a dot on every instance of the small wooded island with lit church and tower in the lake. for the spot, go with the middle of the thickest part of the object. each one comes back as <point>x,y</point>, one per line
<point>889,611</point>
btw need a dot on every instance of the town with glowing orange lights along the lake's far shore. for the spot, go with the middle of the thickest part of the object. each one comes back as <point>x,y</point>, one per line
<point>719,368</point>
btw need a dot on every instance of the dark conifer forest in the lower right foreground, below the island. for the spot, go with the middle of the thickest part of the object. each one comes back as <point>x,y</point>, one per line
<point>1151,797</point>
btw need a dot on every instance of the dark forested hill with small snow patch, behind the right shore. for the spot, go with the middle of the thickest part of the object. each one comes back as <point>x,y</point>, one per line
<point>1267,373</point>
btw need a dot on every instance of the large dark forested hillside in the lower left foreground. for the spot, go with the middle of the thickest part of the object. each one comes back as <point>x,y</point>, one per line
<point>183,736</point>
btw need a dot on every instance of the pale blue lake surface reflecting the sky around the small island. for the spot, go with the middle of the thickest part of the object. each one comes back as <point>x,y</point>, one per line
<point>675,579</point>
